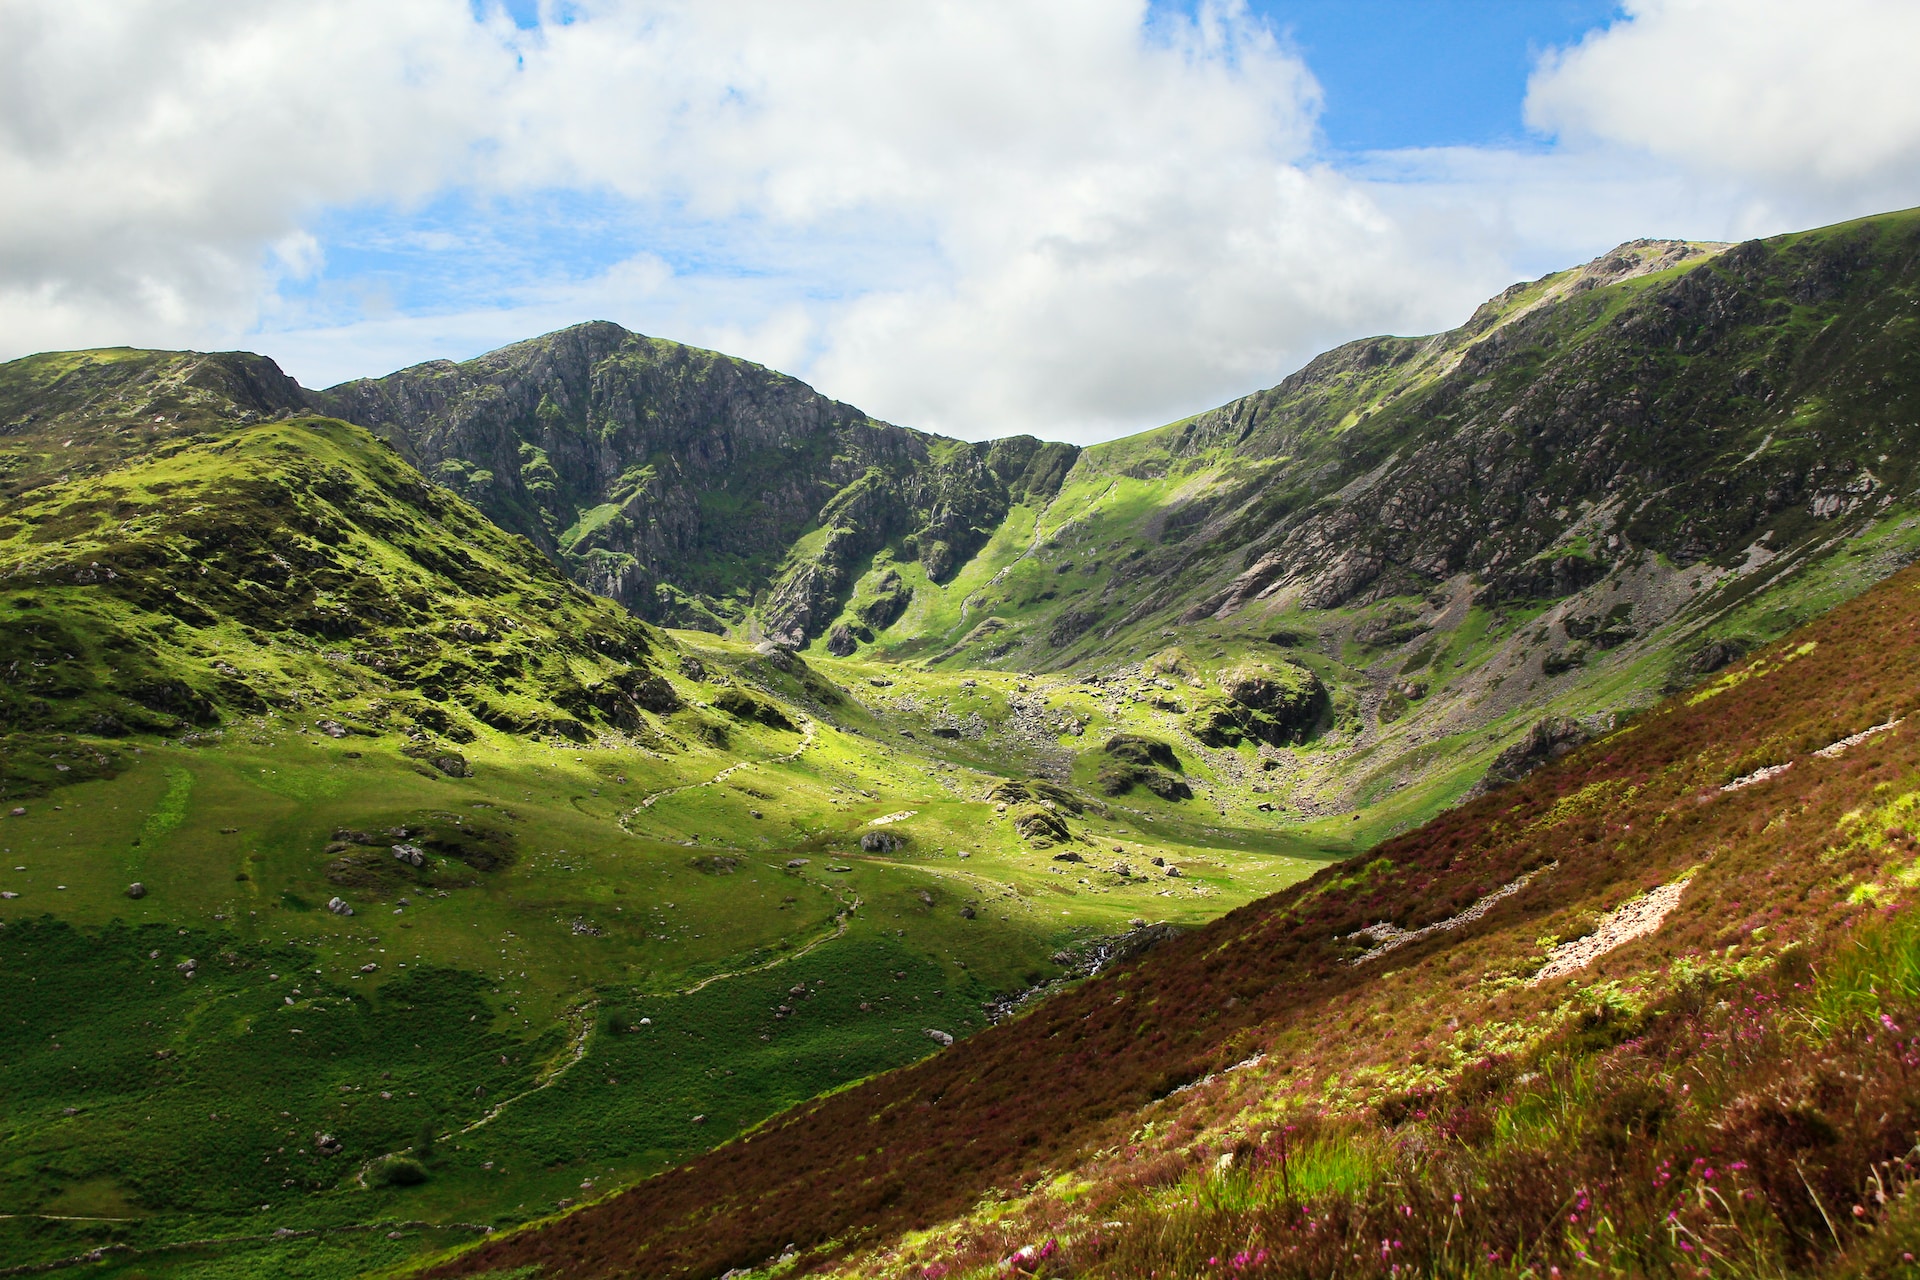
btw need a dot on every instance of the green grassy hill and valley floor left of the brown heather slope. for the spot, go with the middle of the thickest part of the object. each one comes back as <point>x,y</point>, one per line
<point>195,594</point>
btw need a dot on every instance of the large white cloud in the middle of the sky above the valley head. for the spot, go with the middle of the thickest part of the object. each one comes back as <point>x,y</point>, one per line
<point>1120,218</point>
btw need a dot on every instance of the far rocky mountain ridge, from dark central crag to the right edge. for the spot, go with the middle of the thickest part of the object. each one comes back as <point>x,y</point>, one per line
<point>1604,485</point>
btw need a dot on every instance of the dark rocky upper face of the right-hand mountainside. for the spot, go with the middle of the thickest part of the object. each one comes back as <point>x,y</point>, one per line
<point>1572,429</point>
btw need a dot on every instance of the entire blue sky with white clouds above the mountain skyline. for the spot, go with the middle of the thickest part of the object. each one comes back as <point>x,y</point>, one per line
<point>1072,218</point>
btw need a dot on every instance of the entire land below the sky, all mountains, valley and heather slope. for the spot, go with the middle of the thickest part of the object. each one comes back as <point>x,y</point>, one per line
<point>606,809</point>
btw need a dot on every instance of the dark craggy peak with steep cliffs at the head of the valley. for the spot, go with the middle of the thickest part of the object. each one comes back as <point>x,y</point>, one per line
<point>692,486</point>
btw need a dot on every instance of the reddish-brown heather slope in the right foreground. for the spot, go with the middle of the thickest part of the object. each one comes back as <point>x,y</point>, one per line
<point>1646,1010</point>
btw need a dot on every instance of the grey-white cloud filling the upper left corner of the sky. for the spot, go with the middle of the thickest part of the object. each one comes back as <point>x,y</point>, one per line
<point>160,154</point>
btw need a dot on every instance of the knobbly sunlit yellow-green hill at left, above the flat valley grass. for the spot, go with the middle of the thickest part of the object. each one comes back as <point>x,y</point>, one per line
<point>168,561</point>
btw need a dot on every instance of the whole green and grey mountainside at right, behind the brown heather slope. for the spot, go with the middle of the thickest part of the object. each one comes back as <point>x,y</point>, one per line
<point>1604,485</point>
